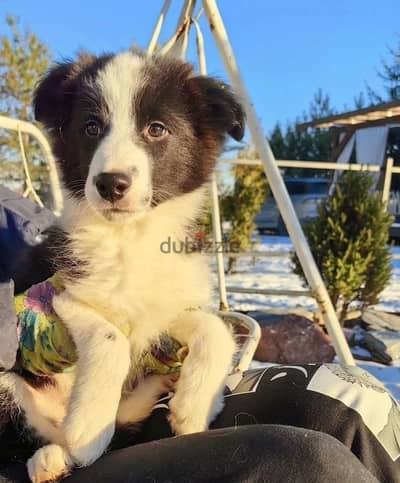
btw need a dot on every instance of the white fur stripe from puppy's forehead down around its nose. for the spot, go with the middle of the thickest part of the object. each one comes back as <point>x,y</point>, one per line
<point>121,150</point>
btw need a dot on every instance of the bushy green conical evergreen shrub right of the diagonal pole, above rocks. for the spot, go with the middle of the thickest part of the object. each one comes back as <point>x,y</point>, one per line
<point>349,241</point>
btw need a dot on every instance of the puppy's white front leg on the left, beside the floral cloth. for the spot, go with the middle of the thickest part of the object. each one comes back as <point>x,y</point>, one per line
<point>102,366</point>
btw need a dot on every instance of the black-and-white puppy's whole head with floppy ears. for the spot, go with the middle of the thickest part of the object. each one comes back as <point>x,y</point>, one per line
<point>130,132</point>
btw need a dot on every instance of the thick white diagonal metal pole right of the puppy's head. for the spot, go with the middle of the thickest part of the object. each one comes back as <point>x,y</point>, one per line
<point>278,187</point>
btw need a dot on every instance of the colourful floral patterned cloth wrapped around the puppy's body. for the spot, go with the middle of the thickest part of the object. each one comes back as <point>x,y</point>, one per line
<point>46,347</point>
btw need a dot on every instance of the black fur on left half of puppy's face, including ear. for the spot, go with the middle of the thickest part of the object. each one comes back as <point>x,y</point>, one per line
<point>65,99</point>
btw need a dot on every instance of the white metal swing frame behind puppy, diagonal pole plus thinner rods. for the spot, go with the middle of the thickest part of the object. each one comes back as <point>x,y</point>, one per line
<point>177,45</point>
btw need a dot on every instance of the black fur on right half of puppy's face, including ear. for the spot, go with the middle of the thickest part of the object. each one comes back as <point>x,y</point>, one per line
<point>198,113</point>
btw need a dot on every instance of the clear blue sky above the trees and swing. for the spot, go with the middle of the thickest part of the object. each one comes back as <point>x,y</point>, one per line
<point>286,50</point>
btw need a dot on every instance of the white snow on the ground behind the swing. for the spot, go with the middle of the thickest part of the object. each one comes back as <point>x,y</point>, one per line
<point>276,273</point>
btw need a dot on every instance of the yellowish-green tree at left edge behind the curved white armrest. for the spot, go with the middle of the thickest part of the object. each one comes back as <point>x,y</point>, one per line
<point>23,60</point>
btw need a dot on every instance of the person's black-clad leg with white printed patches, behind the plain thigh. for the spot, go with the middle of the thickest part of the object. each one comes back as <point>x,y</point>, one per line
<point>346,403</point>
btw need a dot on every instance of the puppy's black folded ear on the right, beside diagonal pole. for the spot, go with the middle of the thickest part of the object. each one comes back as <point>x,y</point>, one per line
<point>219,105</point>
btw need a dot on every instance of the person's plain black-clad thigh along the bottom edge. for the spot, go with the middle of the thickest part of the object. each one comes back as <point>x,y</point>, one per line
<point>258,453</point>
